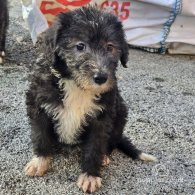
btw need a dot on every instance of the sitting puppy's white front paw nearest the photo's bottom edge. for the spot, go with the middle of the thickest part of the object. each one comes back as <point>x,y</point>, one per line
<point>89,183</point>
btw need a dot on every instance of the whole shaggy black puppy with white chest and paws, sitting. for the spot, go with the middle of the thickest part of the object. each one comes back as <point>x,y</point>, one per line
<point>73,96</point>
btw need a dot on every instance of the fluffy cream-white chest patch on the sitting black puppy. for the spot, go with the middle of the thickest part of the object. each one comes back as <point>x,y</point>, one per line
<point>77,104</point>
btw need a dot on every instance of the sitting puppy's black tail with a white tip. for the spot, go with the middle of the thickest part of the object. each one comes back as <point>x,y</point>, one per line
<point>130,150</point>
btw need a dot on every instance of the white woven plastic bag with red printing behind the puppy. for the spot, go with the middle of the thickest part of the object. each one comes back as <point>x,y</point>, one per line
<point>154,25</point>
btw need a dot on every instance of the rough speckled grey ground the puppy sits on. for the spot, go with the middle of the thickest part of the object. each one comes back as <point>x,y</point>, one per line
<point>160,93</point>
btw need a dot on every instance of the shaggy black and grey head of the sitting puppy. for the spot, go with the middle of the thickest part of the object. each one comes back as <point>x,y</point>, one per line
<point>87,47</point>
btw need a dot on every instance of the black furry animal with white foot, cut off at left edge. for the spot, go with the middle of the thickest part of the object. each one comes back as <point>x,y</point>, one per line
<point>4,19</point>
